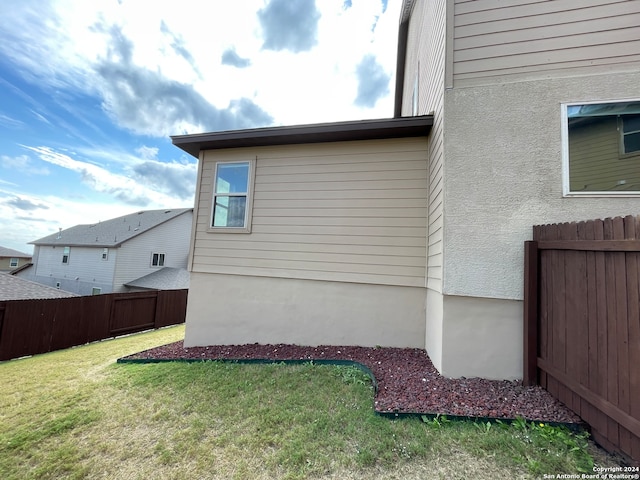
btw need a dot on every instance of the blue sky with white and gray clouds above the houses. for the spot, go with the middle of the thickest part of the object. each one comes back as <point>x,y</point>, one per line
<point>90,92</point>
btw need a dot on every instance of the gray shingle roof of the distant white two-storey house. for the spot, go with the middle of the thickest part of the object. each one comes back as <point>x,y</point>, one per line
<point>111,233</point>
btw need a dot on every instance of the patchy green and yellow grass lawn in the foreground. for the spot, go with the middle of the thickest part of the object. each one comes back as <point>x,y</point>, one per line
<point>77,414</point>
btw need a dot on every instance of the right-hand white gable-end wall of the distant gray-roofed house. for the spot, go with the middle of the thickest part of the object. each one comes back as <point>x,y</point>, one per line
<point>134,255</point>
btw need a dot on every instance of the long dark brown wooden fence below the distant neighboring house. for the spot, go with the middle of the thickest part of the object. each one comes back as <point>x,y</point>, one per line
<point>28,327</point>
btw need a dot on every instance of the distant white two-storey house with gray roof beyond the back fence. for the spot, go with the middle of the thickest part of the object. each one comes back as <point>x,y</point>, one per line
<point>103,257</point>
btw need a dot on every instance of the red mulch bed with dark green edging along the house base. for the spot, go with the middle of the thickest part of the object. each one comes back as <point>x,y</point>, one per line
<point>407,380</point>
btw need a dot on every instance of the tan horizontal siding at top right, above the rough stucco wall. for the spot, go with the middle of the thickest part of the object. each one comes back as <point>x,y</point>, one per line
<point>497,39</point>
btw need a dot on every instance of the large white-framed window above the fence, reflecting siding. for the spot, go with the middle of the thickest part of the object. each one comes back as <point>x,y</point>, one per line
<point>601,148</point>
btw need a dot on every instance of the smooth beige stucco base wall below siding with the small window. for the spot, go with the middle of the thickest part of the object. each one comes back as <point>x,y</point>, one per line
<point>239,309</point>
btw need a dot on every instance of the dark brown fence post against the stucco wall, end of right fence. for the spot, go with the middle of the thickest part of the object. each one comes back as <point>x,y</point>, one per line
<point>530,351</point>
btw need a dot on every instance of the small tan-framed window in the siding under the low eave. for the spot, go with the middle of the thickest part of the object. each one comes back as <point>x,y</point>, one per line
<point>232,196</point>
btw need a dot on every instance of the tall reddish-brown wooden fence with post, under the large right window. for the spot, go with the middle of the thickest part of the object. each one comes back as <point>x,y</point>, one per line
<point>582,323</point>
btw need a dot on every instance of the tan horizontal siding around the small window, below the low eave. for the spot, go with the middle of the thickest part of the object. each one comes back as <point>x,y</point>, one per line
<point>349,211</point>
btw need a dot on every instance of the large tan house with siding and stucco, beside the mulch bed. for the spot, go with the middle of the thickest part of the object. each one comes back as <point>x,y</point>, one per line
<point>331,234</point>
